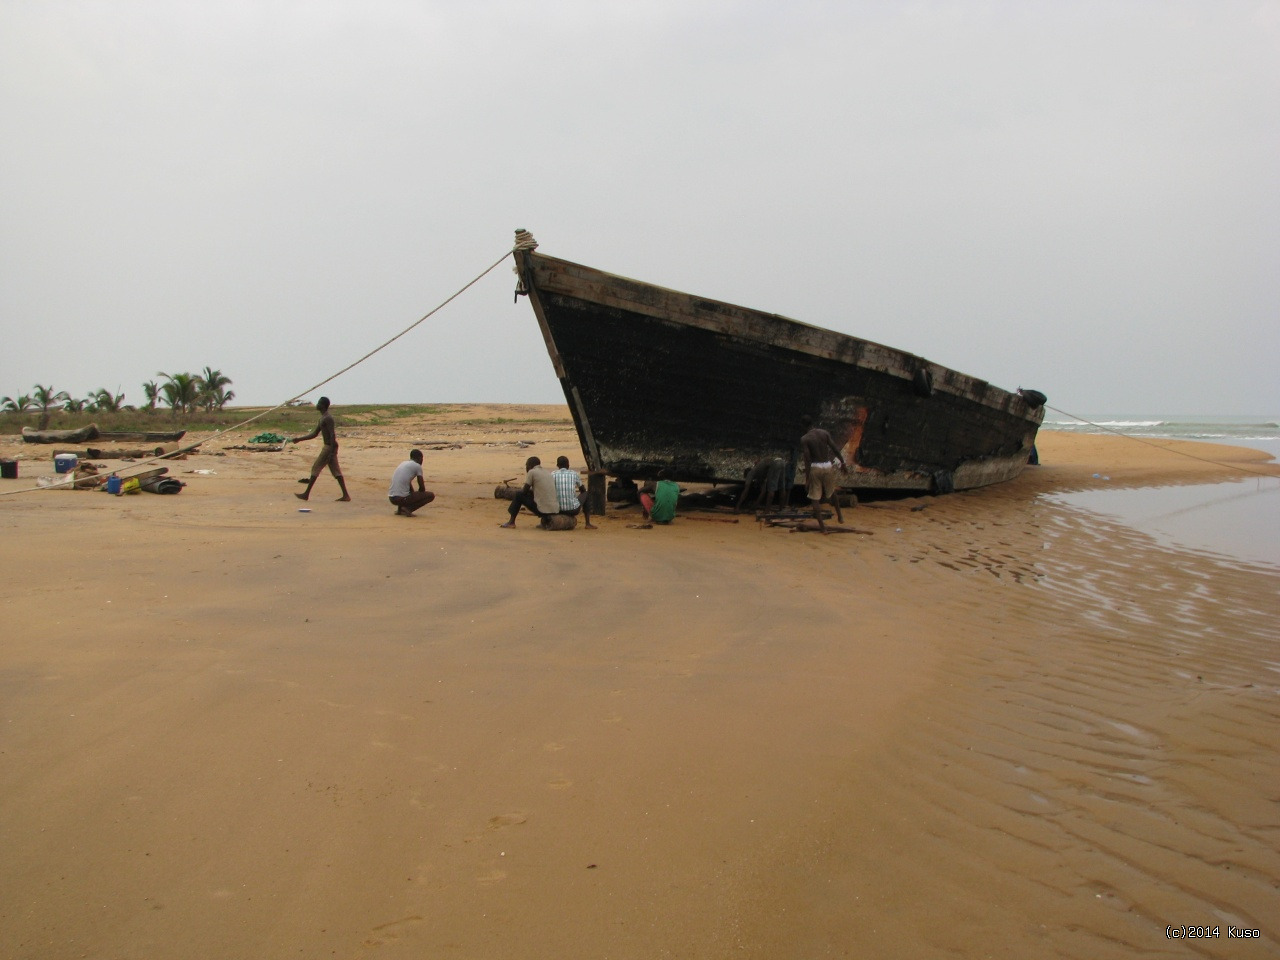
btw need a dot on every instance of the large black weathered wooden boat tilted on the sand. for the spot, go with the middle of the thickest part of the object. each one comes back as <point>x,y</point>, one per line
<point>665,381</point>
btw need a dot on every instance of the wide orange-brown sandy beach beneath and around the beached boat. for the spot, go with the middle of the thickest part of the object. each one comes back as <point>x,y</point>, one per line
<point>986,725</point>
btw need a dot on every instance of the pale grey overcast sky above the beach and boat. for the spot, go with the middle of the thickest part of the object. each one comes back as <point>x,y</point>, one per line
<point>1080,198</point>
